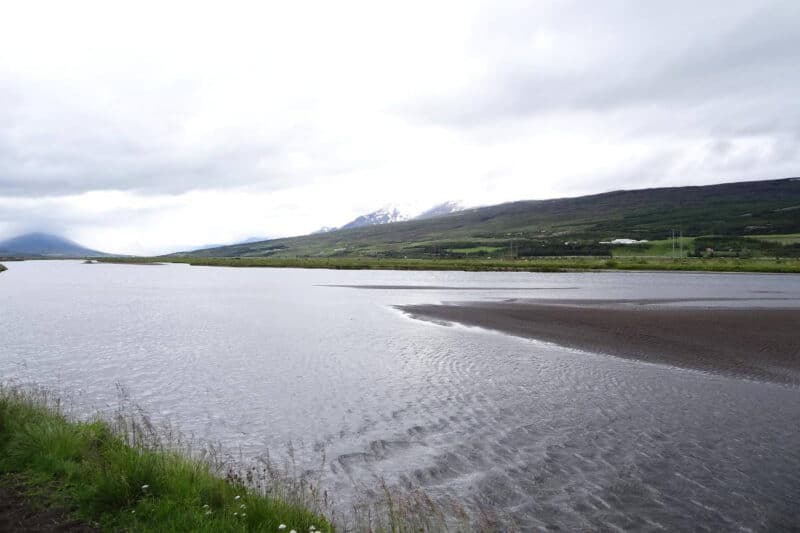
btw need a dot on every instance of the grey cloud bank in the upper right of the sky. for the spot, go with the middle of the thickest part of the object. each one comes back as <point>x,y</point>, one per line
<point>682,64</point>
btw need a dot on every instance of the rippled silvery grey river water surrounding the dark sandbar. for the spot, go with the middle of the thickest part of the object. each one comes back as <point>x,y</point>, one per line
<point>538,435</point>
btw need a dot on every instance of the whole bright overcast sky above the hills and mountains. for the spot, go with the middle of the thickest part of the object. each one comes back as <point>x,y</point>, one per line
<point>150,127</point>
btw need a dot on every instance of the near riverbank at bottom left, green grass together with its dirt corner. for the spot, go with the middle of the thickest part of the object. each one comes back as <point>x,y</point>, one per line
<point>70,475</point>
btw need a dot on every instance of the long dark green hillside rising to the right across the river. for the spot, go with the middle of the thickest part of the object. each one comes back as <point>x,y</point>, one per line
<point>564,226</point>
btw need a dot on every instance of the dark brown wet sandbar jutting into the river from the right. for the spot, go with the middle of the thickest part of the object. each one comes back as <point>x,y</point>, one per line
<point>755,342</point>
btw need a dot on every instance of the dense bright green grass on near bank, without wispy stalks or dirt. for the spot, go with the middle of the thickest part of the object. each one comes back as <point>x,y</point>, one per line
<point>85,467</point>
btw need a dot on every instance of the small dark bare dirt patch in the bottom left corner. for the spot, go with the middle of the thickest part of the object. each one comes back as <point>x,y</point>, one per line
<point>20,513</point>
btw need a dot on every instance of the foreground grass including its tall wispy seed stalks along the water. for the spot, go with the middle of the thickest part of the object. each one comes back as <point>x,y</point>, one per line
<point>123,474</point>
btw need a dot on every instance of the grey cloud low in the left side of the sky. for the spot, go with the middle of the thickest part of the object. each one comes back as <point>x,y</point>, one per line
<point>52,146</point>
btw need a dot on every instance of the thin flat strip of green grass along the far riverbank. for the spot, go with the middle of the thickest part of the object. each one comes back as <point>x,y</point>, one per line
<point>540,264</point>
